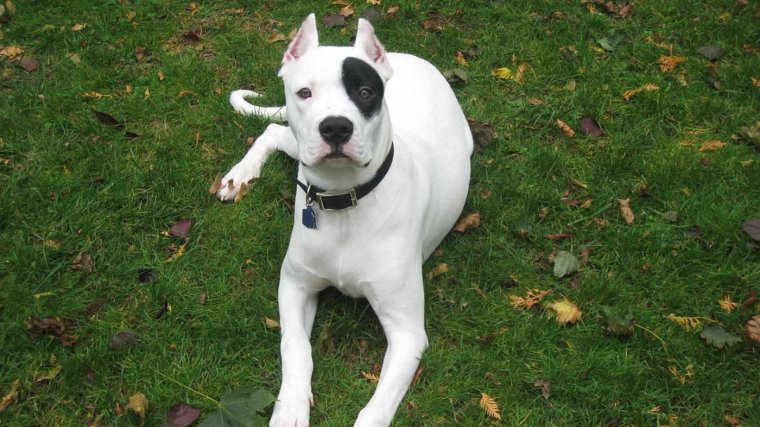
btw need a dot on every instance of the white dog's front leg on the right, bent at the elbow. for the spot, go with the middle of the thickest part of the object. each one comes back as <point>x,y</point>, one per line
<point>401,313</point>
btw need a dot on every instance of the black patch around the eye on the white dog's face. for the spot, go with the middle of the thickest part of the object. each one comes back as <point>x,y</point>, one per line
<point>361,80</point>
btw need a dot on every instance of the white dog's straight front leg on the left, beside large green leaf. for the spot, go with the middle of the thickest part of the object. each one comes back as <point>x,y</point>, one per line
<point>298,305</point>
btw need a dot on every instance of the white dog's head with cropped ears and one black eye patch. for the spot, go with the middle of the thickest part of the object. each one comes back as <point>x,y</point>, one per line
<point>335,97</point>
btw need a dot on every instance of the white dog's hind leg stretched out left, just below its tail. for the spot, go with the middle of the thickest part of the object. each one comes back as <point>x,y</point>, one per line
<point>275,137</point>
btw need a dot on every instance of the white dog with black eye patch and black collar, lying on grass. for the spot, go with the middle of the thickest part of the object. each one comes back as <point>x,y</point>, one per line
<point>384,168</point>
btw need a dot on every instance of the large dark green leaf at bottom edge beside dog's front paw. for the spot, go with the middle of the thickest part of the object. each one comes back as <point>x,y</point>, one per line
<point>240,408</point>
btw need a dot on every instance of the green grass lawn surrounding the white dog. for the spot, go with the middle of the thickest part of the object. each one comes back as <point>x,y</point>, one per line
<point>71,185</point>
